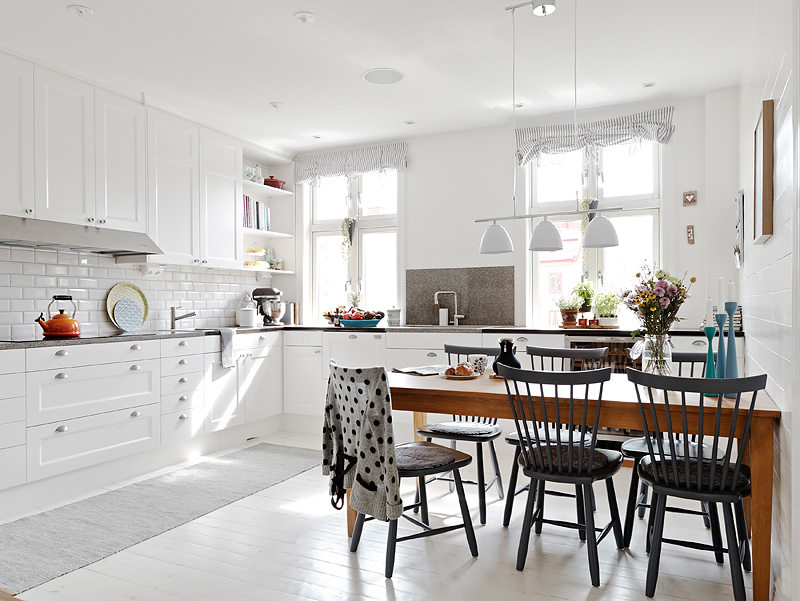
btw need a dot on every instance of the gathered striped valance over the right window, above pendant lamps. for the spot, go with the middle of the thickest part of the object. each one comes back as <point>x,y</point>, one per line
<point>655,125</point>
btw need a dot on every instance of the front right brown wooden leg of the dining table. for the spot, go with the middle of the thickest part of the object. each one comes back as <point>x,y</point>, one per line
<point>761,468</point>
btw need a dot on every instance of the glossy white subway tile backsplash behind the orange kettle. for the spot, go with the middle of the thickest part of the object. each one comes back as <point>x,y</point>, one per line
<point>29,279</point>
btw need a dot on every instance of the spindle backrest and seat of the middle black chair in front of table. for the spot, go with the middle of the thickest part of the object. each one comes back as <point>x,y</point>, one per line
<point>569,448</point>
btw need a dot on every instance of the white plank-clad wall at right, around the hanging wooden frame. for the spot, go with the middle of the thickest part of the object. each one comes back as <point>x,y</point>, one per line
<point>766,277</point>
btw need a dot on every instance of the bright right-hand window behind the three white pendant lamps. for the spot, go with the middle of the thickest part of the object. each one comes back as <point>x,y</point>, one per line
<point>626,175</point>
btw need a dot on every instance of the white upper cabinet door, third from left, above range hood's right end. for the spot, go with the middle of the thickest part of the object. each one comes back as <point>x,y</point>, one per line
<point>120,133</point>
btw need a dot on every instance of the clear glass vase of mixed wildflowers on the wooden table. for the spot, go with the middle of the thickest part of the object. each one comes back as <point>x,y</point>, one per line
<point>655,300</point>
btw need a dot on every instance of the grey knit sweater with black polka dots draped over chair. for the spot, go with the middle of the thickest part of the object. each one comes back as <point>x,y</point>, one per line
<point>358,442</point>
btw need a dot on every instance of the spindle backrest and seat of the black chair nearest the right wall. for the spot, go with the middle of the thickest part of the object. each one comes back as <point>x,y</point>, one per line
<point>672,465</point>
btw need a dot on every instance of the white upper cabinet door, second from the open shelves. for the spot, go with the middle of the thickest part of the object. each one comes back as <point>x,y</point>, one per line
<point>173,182</point>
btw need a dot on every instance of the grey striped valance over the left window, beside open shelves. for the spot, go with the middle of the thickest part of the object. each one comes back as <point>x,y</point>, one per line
<point>352,161</point>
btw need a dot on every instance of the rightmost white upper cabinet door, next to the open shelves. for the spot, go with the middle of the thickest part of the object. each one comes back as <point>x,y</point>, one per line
<point>220,200</point>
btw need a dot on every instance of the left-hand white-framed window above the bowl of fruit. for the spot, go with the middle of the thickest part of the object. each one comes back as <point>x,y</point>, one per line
<point>370,199</point>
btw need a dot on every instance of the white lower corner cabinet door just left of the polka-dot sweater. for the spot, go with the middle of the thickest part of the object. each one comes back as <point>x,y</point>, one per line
<point>304,379</point>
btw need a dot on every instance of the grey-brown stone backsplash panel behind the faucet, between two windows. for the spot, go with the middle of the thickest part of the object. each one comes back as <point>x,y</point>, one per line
<point>485,295</point>
